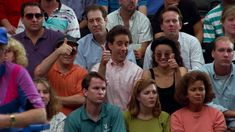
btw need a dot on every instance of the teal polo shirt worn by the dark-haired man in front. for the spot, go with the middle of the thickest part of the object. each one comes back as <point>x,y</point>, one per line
<point>109,120</point>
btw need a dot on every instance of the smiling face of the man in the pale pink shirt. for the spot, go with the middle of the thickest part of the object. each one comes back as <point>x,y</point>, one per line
<point>119,48</point>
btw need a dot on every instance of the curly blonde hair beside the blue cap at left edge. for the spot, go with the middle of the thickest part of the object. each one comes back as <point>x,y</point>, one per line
<point>19,52</point>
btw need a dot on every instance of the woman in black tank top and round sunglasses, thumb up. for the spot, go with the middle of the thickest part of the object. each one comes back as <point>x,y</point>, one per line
<point>167,71</point>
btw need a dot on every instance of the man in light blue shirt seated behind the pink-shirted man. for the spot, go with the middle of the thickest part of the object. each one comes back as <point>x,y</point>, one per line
<point>90,46</point>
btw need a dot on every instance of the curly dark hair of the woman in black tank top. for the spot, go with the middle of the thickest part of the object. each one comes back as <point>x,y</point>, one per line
<point>174,46</point>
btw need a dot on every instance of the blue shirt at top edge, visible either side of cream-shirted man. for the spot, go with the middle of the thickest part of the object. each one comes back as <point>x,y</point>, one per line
<point>114,4</point>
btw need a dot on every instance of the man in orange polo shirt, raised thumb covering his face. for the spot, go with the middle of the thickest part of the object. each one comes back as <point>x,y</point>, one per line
<point>64,76</point>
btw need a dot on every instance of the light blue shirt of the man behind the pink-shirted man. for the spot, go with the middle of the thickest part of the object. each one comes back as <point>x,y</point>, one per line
<point>90,52</point>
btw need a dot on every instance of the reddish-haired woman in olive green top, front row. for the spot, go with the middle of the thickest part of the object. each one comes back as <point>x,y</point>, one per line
<point>144,109</point>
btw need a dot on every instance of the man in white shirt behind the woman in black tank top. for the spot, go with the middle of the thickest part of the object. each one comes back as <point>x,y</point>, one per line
<point>190,47</point>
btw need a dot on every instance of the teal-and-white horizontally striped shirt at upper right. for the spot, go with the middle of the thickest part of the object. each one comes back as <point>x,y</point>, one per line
<point>212,27</point>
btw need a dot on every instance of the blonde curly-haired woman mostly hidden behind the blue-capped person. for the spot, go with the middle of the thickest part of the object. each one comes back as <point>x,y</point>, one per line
<point>16,53</point>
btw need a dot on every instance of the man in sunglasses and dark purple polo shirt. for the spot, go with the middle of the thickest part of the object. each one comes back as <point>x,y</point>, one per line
<point>38,42</point>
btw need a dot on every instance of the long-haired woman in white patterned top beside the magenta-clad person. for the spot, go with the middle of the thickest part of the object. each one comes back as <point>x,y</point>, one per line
<point>54,117</point>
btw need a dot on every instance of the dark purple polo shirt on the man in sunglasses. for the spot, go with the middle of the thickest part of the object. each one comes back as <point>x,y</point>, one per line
<point>36,53</point>
